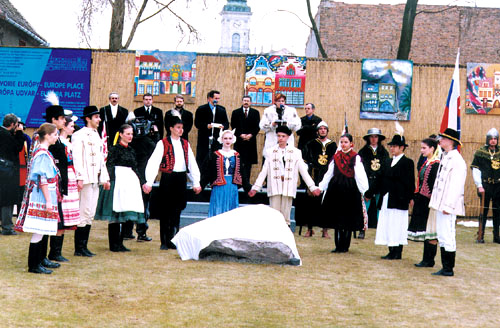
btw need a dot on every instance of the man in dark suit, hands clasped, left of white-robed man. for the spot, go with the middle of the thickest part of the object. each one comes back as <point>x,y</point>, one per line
<point>245,120</point>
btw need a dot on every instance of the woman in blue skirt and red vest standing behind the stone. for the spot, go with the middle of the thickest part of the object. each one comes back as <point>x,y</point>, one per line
<point>222,171</point>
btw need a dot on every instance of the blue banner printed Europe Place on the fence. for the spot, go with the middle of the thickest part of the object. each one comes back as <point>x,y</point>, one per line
<point>27,74</point>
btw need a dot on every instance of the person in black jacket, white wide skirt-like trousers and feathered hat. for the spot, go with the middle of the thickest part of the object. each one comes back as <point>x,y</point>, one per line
<point>396,189</point>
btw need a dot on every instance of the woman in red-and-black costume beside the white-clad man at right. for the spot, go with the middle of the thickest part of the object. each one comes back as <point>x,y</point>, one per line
<point>419,228</point>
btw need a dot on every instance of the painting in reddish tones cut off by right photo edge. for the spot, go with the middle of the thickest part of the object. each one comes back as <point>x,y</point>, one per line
<point>482,94</point>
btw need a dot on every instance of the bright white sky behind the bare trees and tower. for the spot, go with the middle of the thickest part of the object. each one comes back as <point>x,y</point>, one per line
<point>275,24</point>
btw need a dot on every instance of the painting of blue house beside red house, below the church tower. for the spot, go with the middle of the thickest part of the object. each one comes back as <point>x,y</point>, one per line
<point>268,75</point>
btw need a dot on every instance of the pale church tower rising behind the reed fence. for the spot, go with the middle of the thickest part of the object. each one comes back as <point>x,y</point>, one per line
<point>235,34</point>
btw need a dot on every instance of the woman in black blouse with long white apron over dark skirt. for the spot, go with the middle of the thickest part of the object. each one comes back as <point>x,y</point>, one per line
<point>123,201</point>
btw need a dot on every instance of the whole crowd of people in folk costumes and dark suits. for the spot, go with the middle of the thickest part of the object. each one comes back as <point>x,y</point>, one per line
<point>106,171</point>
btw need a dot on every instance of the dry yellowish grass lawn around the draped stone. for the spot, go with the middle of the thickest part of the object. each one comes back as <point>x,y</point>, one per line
<point>152,288</point>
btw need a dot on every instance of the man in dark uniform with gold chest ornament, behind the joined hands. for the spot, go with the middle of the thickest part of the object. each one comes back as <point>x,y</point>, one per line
<point>317,154</point>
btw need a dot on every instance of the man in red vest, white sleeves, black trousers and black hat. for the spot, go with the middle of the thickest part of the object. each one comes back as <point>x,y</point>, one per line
<point>176,161</point>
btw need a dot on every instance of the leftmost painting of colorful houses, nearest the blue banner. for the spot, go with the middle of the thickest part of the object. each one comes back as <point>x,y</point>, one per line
<point>165,72</point>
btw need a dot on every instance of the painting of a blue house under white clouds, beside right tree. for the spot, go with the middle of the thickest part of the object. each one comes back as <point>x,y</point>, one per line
<point>386,89</point>
